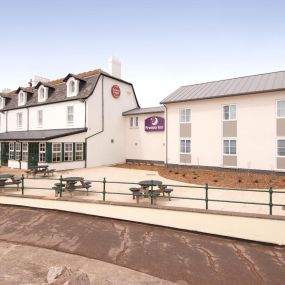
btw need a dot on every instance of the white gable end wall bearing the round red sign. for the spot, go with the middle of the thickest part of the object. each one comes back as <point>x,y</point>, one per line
<point>100,149</point>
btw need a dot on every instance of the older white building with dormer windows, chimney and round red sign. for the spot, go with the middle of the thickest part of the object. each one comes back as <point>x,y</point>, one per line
<point>73,122</point>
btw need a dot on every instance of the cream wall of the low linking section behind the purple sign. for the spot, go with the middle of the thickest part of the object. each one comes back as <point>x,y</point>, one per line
<point>142,145</point>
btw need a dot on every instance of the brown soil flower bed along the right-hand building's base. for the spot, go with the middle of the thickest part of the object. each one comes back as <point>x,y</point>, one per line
<point>219,178</point>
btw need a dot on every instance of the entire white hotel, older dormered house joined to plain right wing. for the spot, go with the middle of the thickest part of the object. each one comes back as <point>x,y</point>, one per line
<point>94,118</point>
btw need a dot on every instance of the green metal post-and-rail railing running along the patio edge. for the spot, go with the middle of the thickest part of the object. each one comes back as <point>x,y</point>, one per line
<point>206,188</point>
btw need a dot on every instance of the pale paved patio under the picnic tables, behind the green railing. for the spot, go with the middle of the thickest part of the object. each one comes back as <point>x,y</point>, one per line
<point>130,175</point>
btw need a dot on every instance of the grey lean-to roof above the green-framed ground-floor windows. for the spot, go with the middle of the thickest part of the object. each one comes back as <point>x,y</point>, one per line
<point>39,135</point>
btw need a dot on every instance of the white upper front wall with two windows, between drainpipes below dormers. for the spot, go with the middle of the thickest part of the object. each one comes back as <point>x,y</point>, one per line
<point>55,116</point>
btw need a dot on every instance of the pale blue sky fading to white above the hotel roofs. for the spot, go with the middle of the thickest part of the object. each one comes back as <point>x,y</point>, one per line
<point>161,44</point>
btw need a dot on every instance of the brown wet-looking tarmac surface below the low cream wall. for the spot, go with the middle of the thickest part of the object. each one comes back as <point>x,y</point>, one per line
<point>177,256</point>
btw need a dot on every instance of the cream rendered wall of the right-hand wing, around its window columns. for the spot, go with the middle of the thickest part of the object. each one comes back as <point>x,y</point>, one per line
<point>256,130</point>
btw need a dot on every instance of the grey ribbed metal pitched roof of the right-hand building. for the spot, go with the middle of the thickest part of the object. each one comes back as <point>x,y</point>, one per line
<point>266,82</point>
